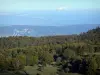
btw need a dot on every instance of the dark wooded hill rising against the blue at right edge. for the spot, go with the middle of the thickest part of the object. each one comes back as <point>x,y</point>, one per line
<point>92,36</point>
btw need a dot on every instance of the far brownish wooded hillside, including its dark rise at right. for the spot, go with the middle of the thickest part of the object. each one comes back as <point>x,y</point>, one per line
<point>22,41</point>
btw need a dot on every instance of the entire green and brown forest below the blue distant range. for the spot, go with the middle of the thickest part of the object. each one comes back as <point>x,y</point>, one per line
<point>51,55</point>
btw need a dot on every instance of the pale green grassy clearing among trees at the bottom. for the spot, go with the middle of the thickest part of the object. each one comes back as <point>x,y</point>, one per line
<point>49,70</point>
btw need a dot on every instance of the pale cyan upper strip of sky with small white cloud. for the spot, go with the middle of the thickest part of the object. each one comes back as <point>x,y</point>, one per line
<point>29,5</point>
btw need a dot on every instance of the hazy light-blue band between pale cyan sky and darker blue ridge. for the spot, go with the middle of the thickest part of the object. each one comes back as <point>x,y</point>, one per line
<point>51,18</point>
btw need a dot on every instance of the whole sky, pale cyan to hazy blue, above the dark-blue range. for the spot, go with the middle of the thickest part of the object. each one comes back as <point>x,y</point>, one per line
<point>49,12</point>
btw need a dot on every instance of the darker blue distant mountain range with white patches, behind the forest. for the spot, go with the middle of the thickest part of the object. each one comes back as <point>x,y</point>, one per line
<point>28,30</point>
